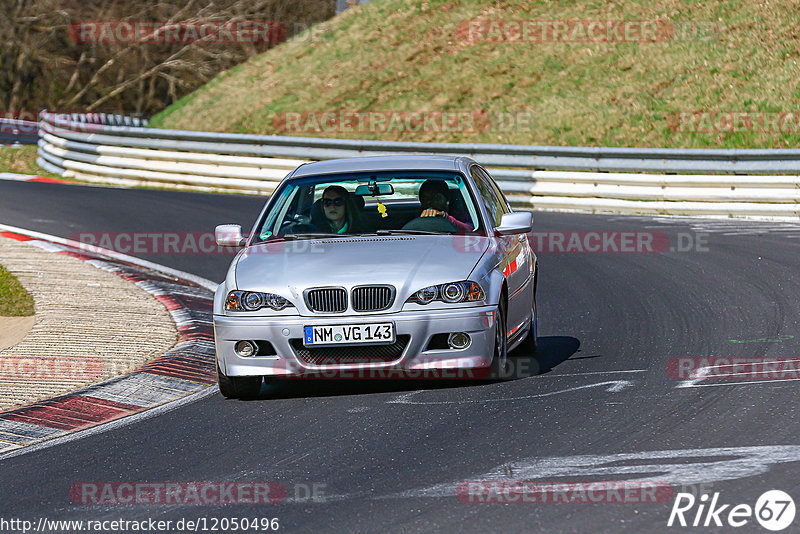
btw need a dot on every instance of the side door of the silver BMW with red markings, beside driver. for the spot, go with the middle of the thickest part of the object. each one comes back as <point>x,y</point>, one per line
<point>515,250</point>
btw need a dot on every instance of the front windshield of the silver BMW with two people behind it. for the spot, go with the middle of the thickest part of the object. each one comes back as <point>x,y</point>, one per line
<point>371,203</point>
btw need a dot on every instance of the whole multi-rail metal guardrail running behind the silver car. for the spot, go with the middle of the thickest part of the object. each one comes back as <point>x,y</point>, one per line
<point>88,148</point>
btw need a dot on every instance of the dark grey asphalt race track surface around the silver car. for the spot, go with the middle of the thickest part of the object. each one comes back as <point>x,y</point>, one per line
<point>596,403</point>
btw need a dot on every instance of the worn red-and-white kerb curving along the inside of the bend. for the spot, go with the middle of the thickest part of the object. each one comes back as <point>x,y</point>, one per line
<point>184,371</point>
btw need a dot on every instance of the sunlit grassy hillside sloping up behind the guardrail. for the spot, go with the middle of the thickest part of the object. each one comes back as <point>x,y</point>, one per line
<point>406,55</point>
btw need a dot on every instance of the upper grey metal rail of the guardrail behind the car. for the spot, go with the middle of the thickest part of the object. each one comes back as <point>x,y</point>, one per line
<point>665,160</point>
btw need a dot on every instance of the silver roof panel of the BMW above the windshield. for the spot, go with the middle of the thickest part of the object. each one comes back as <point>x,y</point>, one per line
<point>383,163</point>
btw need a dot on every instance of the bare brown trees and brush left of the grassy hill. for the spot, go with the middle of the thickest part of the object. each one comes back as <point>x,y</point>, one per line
<point>49,57</point>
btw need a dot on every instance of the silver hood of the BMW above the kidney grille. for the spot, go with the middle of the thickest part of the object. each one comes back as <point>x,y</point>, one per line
<point>407,262</point>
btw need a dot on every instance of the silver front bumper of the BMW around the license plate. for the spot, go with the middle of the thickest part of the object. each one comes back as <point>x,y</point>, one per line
<point>286,333</point>
